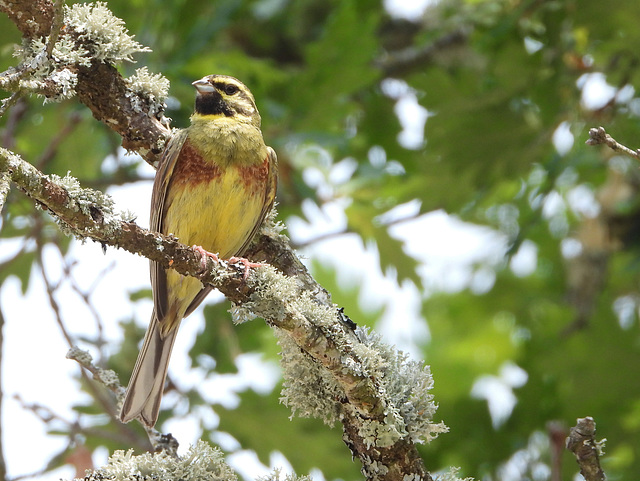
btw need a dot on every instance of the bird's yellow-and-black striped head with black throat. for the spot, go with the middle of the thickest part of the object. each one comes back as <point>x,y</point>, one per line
<point>224,96</point>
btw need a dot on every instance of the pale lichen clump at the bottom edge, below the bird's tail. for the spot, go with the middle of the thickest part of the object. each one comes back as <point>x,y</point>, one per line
<point>200,463</point>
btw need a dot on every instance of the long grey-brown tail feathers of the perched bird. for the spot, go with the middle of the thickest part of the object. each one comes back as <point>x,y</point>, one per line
<point>144,393</point>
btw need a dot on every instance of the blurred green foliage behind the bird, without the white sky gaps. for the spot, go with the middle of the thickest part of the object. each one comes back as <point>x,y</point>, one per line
<point>498,78</point>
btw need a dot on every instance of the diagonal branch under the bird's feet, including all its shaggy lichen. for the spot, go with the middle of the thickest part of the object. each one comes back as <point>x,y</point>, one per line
<point>380,397</point>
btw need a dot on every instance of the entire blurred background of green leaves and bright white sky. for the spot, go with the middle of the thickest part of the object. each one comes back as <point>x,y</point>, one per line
<point>434,175</point>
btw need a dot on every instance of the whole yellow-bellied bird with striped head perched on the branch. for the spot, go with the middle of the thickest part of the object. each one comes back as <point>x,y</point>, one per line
<point>216,182</point>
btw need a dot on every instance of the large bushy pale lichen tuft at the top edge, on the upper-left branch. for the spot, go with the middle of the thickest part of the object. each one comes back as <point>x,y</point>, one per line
<point>103,34</point>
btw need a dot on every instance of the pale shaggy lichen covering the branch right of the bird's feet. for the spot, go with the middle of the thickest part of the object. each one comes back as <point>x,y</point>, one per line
<point>311,390</point>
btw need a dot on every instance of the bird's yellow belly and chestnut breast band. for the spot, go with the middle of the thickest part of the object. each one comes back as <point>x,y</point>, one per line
<point>211,206</point>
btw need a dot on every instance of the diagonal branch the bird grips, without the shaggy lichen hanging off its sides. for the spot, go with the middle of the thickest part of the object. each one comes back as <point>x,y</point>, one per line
<point>294,303</point>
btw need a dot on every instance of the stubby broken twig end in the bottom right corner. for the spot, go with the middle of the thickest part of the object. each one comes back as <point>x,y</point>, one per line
<point>582,443</point>
